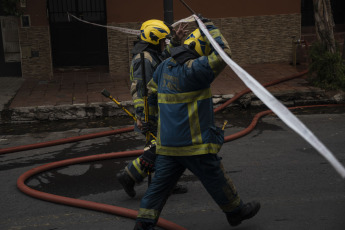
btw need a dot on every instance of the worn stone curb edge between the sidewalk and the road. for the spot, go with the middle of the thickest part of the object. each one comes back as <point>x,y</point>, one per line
<point>110,109</point>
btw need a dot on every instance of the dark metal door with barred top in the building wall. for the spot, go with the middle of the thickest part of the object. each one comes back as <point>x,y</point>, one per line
<point>75,43</point>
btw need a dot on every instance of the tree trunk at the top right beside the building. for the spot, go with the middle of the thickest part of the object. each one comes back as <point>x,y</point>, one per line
<point>324,23</point>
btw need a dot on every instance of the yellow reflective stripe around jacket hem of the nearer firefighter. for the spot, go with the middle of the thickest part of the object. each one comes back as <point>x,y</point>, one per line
<point>188,150</point>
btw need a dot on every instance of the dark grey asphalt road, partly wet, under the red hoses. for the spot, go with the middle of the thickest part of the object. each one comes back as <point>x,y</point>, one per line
<point>298,189</point>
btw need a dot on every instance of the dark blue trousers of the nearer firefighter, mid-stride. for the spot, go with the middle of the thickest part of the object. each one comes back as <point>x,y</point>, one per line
<point>208,168</point>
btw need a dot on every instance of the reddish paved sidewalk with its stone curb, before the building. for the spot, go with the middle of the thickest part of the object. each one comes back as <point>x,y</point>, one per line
<point>76,94</point>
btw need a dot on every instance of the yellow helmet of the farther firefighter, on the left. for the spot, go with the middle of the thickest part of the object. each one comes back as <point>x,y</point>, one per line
<point>154,30</point>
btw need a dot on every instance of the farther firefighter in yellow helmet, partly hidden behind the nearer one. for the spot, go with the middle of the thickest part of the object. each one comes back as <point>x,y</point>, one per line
<point>152,43</point>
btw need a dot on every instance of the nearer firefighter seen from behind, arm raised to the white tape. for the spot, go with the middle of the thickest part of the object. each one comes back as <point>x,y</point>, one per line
<point>187,137</point>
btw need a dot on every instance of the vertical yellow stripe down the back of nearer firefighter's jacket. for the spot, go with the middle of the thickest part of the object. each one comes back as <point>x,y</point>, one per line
<point>194,122</point>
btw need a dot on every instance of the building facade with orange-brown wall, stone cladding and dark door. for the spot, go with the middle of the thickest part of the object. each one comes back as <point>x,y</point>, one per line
<point>49,40</point>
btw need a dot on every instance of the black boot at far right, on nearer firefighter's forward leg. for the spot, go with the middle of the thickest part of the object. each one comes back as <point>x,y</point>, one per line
<point>246,211</point>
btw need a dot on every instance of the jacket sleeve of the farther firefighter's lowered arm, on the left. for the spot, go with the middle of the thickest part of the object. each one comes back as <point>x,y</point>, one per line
<point>136,76</point>
